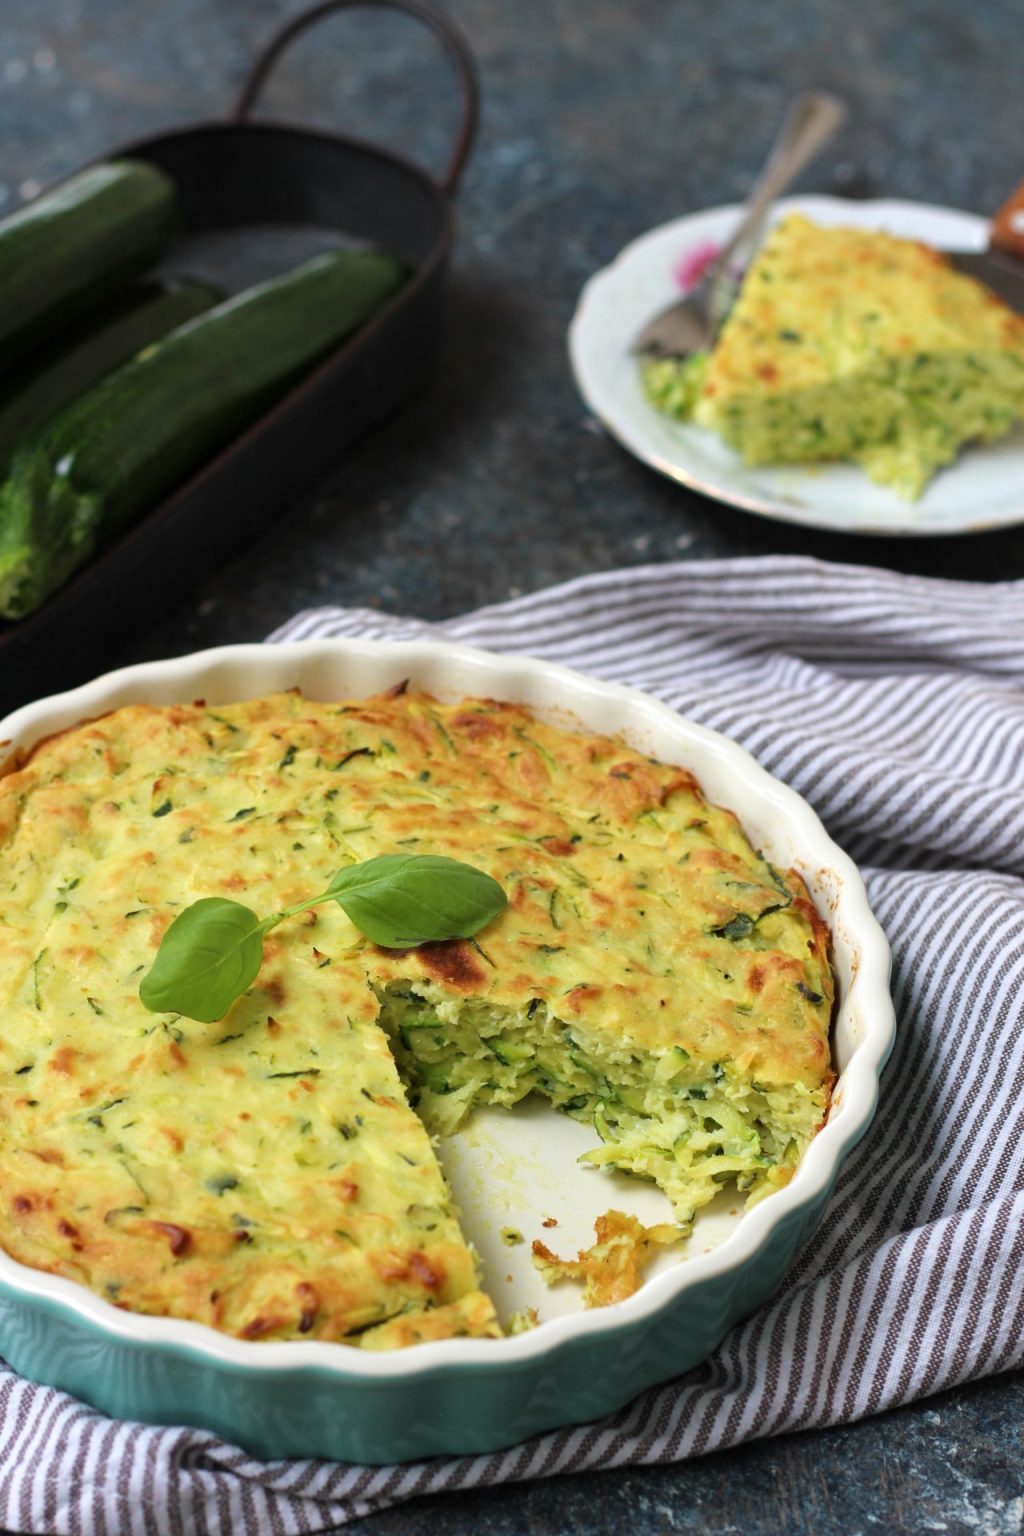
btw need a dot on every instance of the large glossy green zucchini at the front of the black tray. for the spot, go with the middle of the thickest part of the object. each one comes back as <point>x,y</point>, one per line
<point>128,442</point>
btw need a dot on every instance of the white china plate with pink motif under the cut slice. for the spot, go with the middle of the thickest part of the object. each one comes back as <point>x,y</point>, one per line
<point>985,489</point>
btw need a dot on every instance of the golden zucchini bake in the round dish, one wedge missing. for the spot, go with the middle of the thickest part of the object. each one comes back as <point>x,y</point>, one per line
<point>274,1174</point>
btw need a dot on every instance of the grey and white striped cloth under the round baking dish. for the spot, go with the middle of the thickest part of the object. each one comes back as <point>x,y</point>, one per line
<point>897,707</point>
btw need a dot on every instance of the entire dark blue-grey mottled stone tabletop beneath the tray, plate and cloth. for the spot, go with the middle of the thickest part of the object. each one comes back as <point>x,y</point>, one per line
<point>601,121</point>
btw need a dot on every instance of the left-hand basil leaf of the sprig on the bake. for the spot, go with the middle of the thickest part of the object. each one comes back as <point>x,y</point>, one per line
<point>208,958</point>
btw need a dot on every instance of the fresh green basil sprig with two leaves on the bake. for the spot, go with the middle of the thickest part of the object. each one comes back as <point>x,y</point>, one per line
<point>214,950</point>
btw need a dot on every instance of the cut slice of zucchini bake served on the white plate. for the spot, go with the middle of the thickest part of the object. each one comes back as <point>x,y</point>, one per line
<point>854,345</point>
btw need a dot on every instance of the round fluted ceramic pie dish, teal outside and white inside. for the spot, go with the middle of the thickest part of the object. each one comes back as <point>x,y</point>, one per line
<point>477,1395</point>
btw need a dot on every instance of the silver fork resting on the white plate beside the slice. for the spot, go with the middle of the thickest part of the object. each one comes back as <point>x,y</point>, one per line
<point>693,323</point>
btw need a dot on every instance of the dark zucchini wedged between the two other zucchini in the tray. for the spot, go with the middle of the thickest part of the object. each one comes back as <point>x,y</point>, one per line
<point>50,380</point>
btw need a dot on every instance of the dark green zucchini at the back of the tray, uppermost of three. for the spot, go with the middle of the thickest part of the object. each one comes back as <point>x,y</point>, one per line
<point>76,247</point>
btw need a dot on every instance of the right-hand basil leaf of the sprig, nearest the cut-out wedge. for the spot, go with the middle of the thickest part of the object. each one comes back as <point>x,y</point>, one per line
<point>411,899</point>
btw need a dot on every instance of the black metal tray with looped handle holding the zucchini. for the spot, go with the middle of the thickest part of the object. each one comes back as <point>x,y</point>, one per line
<point>256,197</point>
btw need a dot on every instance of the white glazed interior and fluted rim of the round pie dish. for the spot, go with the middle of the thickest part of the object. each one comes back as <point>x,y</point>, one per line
<point>512,1170</point>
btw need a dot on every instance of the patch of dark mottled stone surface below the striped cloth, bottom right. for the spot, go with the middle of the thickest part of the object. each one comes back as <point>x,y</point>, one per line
<point>951,1466</point>
